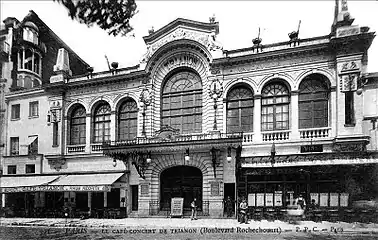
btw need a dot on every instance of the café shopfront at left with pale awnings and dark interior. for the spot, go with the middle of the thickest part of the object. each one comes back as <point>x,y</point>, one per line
<point>92,195</point>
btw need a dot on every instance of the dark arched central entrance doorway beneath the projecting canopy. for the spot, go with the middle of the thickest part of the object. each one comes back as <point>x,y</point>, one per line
<point>181,181</point>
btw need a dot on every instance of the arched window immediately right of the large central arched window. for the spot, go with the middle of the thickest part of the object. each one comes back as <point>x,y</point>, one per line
<point>240,110</point>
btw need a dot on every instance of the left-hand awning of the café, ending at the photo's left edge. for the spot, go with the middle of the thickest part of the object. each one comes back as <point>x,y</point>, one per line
<point>24,183</point>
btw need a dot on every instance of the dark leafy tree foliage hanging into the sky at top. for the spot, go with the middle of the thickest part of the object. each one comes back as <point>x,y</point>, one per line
<point>111,15</point>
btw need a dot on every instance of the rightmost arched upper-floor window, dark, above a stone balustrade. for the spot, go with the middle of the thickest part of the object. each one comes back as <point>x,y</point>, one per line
<point>313,102</point>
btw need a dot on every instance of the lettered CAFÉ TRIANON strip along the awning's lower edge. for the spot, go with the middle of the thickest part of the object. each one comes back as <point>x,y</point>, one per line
<point>99,188</point>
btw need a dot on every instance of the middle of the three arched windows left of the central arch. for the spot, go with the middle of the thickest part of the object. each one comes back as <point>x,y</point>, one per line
<point>101,123</point>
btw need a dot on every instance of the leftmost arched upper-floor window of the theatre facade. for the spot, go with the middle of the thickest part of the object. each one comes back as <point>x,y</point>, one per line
<point>77,126</point>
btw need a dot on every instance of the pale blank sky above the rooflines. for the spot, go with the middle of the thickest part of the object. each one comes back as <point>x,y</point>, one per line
<point>239,22</point>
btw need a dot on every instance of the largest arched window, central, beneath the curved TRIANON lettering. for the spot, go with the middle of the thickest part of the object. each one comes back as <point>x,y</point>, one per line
<point>182,102</point>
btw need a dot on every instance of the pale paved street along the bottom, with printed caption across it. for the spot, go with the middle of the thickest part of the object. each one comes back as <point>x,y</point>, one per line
<point>177,228</point>
